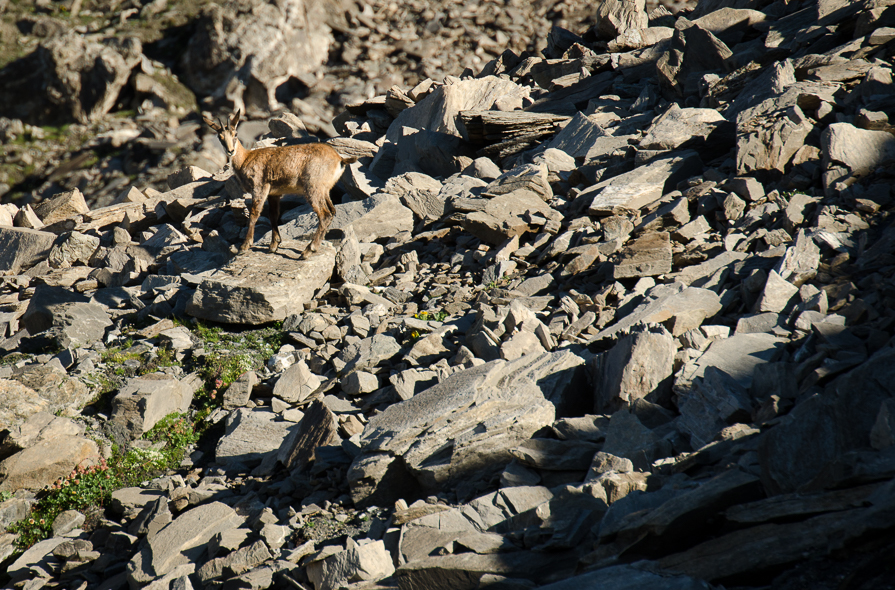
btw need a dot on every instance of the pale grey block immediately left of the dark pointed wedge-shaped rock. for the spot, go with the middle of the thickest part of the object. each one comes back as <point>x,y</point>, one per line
<point>250,436</point>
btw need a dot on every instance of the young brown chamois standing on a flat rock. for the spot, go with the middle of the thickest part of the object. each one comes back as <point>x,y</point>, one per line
<point>310,169</point>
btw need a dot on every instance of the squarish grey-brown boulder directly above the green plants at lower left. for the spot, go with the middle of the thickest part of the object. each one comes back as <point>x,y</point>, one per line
<point>144,401</point>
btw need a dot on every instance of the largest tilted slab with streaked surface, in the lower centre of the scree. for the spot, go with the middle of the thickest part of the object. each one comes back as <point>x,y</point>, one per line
<point>463,428</point>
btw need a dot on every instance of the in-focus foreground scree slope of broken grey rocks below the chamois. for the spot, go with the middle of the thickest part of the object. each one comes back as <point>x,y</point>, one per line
<point>618,317</point>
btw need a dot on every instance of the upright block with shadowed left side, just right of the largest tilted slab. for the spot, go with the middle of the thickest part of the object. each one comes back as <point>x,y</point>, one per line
<point>640,365</point>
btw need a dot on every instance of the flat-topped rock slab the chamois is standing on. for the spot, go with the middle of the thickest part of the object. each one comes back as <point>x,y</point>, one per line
<point>259,287</point>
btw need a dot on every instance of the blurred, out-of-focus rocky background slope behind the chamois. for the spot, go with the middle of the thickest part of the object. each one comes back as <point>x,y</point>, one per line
<point>114,85</point>
